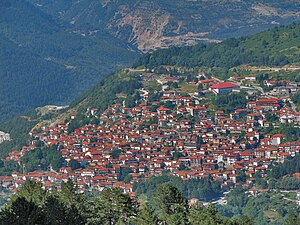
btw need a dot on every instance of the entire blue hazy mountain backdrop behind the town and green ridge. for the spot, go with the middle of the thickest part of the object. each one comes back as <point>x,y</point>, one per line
<point>52,51</point>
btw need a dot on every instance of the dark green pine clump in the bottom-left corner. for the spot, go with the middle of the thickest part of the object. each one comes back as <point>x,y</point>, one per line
<point>32,205</point>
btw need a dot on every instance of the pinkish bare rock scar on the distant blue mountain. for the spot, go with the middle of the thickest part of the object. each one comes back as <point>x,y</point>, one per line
<point>148,29</point>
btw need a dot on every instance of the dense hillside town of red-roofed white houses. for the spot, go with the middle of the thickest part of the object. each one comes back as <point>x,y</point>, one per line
<point>176,134</point>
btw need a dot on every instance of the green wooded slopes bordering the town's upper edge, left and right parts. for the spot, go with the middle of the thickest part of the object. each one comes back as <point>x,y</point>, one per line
<point>117,86</point>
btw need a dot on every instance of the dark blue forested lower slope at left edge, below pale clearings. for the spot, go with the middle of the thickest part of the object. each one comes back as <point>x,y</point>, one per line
<point>27,81</point>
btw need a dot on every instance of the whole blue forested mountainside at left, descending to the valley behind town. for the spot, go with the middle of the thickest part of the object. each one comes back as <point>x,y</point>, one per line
<point>43,62</point>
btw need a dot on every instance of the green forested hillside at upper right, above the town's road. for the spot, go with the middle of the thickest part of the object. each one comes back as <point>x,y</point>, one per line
<point>276,47</point>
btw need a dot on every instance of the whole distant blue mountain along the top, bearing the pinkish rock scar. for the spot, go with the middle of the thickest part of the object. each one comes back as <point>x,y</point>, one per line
<point>150,24</point>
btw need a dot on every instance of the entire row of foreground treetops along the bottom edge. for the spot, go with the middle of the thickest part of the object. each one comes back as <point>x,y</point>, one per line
<point>33,205</point>
